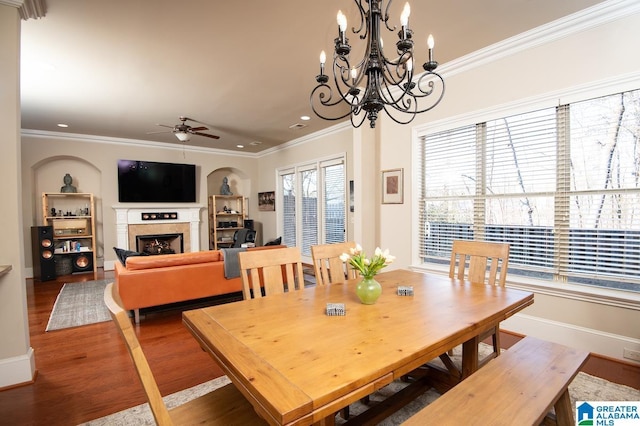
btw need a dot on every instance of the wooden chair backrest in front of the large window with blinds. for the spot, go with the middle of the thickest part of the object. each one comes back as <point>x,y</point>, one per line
<point>479,255</point>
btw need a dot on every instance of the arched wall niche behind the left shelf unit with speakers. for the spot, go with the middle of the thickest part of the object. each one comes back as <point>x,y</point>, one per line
<point>48,176</point>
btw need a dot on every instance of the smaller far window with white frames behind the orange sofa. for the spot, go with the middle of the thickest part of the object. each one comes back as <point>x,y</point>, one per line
<point>318,216</point>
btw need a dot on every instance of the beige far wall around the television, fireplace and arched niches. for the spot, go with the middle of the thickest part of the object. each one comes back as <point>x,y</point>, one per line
<point>92,163</point>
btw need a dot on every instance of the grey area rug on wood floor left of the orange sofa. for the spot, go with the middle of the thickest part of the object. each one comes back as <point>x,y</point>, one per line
<point>79,303</point>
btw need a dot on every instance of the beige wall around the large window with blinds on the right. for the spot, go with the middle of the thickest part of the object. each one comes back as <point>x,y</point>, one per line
<point>583,62</point>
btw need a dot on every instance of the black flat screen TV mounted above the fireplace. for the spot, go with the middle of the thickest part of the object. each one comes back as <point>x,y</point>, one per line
<point>152,182</point>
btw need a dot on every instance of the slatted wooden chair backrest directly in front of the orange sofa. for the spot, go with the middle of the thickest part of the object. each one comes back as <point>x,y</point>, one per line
<point>275,270</point>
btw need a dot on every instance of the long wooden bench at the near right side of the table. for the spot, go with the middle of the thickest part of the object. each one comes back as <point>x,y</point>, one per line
<point>518,387</point>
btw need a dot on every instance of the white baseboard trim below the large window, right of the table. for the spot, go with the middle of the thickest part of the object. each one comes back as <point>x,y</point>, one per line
<point>594,341</point>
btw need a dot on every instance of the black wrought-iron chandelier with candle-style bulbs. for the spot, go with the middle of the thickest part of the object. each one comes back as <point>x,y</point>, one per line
<point>376,83</point>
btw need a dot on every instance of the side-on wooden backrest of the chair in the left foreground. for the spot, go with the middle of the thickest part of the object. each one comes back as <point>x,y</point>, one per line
<point>120,317</point>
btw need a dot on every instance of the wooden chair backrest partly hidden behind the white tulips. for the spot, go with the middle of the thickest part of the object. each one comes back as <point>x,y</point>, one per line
<point>327,264</point>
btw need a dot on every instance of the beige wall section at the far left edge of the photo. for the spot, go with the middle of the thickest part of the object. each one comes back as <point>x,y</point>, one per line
<point>17,364</point>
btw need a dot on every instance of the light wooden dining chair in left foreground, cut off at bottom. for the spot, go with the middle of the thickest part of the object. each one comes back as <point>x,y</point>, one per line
<point>222,406</point>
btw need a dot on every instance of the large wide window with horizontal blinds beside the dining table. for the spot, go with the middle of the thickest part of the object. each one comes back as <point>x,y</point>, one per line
<point>560,185</point>
